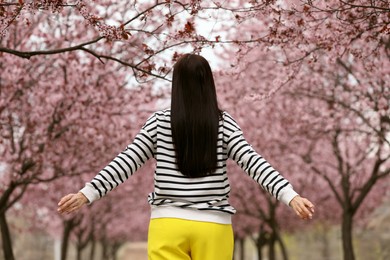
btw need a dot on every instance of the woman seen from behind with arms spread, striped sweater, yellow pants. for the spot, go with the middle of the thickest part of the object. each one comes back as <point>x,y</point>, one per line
<point>191,142</point>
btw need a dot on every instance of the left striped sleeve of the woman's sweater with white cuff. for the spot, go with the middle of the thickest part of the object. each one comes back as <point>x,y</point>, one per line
<point>122,166</point>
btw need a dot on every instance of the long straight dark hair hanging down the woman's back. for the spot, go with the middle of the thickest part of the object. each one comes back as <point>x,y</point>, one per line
<point>194,116</point>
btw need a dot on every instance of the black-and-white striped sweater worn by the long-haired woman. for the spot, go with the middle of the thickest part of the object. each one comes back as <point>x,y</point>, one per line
<point>175,195</point>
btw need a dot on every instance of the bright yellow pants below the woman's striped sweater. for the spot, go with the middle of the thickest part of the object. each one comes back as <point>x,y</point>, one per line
<point>180,239</point>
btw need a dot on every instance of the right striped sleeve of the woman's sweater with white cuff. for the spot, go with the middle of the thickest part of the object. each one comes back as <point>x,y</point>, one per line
<point>256,166</point>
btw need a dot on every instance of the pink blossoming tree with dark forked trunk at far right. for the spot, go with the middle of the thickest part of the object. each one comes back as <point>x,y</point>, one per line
<point>343,98</point>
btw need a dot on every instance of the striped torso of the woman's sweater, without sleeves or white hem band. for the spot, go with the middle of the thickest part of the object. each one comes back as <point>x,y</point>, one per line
<point>172,188</point>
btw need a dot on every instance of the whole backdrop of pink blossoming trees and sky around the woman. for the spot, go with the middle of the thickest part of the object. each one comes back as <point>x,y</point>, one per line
<point>308,81</point>
